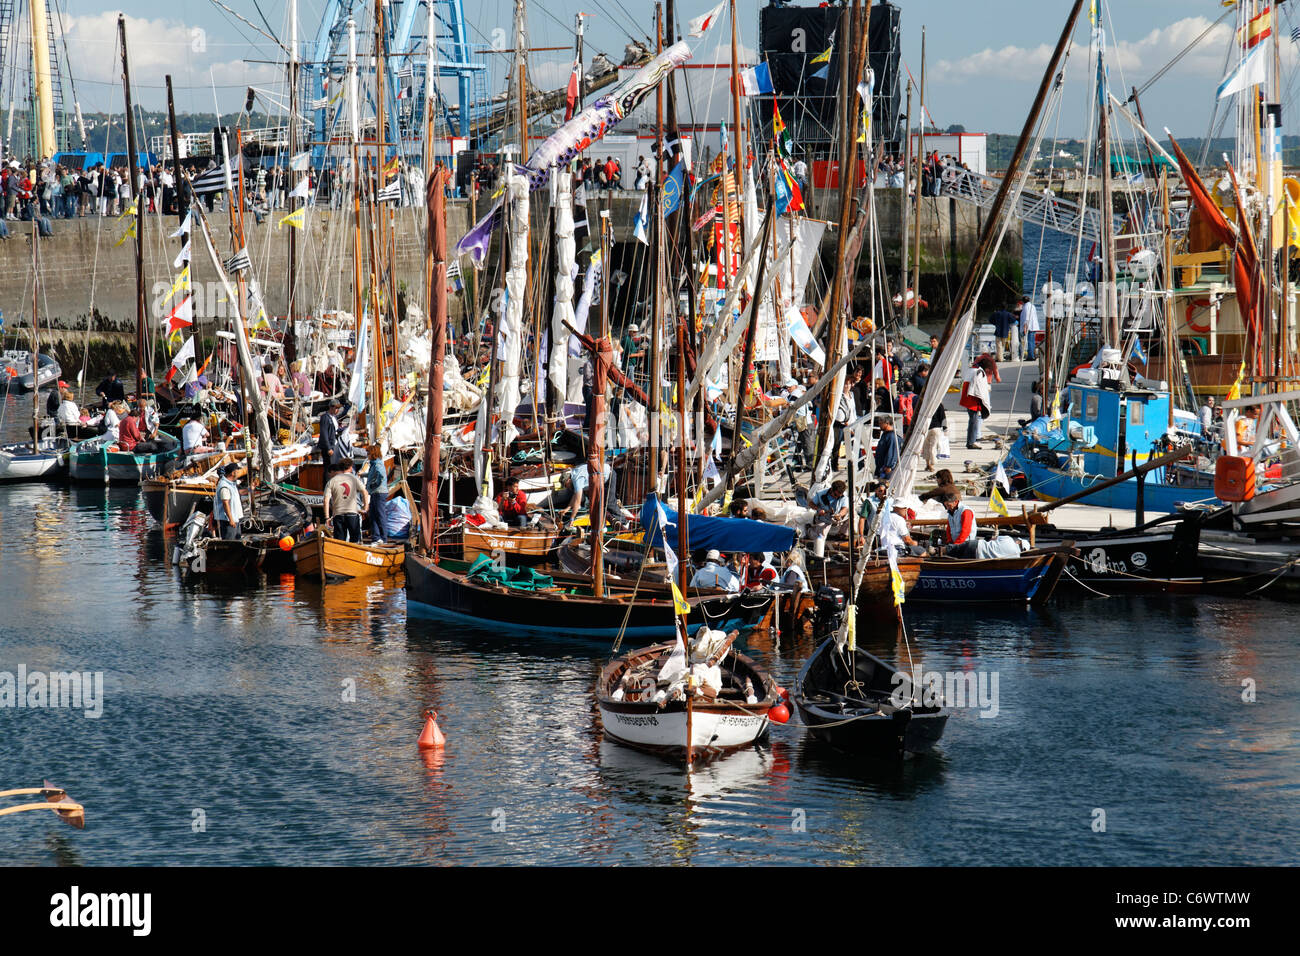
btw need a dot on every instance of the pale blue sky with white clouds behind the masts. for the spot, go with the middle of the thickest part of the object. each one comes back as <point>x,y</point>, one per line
<point>983,60</point>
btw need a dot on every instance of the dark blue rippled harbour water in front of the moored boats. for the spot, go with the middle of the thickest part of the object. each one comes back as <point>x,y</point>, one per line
<point>229,702</point>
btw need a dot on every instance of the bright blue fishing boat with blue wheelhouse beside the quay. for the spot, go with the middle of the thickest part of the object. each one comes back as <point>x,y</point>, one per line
<point>1108,429</point>
